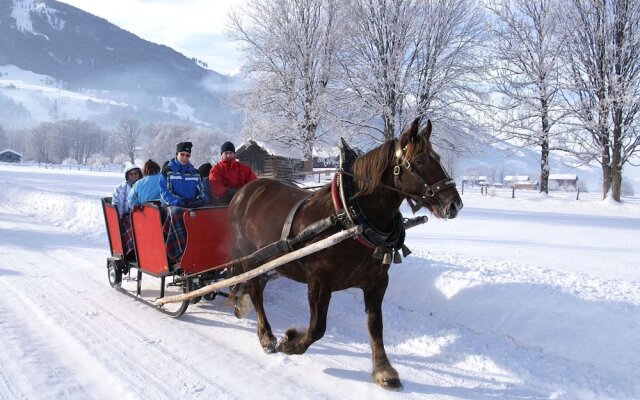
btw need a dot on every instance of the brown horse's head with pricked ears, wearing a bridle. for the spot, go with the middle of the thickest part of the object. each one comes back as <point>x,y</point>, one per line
<point>418,172</point>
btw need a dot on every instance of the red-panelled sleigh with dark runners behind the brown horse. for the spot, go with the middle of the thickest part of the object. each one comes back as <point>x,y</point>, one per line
<point>147,274</point>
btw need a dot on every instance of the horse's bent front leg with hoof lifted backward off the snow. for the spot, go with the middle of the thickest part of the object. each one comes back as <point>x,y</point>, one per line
<point>297,342</point>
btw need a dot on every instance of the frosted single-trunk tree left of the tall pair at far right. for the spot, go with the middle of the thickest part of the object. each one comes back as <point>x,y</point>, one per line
<point>528,44</point>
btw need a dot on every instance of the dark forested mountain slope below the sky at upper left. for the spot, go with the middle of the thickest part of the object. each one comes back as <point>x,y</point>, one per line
<point>81,52</point>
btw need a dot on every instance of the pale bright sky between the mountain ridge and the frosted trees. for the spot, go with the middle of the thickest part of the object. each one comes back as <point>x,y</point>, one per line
<point>192,27</point>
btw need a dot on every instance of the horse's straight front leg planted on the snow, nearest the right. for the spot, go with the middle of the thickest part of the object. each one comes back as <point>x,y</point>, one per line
<point>383,373</point>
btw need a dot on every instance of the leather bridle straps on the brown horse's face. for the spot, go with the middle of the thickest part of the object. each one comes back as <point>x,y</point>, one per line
<point>415,201</point>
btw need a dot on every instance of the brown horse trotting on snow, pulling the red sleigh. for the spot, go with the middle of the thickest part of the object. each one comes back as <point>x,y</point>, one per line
<point>406,167</point>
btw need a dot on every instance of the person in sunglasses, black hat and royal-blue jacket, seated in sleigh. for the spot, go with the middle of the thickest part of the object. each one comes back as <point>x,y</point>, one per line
<point>180,188</point>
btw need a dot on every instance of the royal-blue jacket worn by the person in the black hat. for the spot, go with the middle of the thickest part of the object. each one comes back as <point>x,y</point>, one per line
<point>181,182</point>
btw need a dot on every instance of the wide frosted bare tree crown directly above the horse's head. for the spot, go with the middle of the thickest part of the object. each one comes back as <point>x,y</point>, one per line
<point>408,58</point>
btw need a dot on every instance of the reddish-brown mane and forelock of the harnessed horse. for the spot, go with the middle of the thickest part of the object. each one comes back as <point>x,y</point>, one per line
<point>374,163</point>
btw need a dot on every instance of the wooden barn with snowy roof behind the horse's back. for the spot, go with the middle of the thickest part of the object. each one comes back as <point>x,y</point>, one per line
<point>270,162</point>
